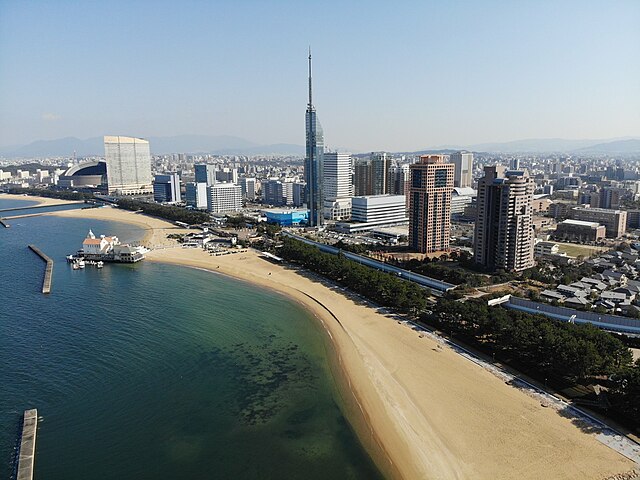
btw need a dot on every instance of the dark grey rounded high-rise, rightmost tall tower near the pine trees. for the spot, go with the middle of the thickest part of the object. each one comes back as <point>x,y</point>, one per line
<point>504,236</point>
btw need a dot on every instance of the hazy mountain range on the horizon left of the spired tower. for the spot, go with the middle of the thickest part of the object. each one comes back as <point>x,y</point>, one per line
<point>220,144</point>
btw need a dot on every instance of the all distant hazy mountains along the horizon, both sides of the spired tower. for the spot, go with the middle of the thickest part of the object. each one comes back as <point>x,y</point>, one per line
<point>229,145</point>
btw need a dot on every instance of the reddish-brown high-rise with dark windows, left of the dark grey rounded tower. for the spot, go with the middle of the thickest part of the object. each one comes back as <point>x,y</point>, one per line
<point>430,204</point>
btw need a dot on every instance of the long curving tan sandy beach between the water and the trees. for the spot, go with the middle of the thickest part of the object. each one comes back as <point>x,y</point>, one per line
<point>423,412</point>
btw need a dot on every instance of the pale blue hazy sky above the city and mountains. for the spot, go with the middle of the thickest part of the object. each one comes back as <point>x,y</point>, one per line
<point>388,75</point>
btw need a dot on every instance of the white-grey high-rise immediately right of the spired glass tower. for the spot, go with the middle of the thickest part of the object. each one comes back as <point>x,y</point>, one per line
<point>338,185</point>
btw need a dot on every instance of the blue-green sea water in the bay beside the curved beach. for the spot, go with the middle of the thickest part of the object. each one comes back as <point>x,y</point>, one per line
<point>152,371</point>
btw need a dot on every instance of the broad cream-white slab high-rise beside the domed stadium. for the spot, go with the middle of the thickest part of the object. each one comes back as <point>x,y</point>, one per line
<point>128,162</point>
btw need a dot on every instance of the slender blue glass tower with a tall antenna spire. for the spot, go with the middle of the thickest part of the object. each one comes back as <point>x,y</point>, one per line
<point>313,163</point>
